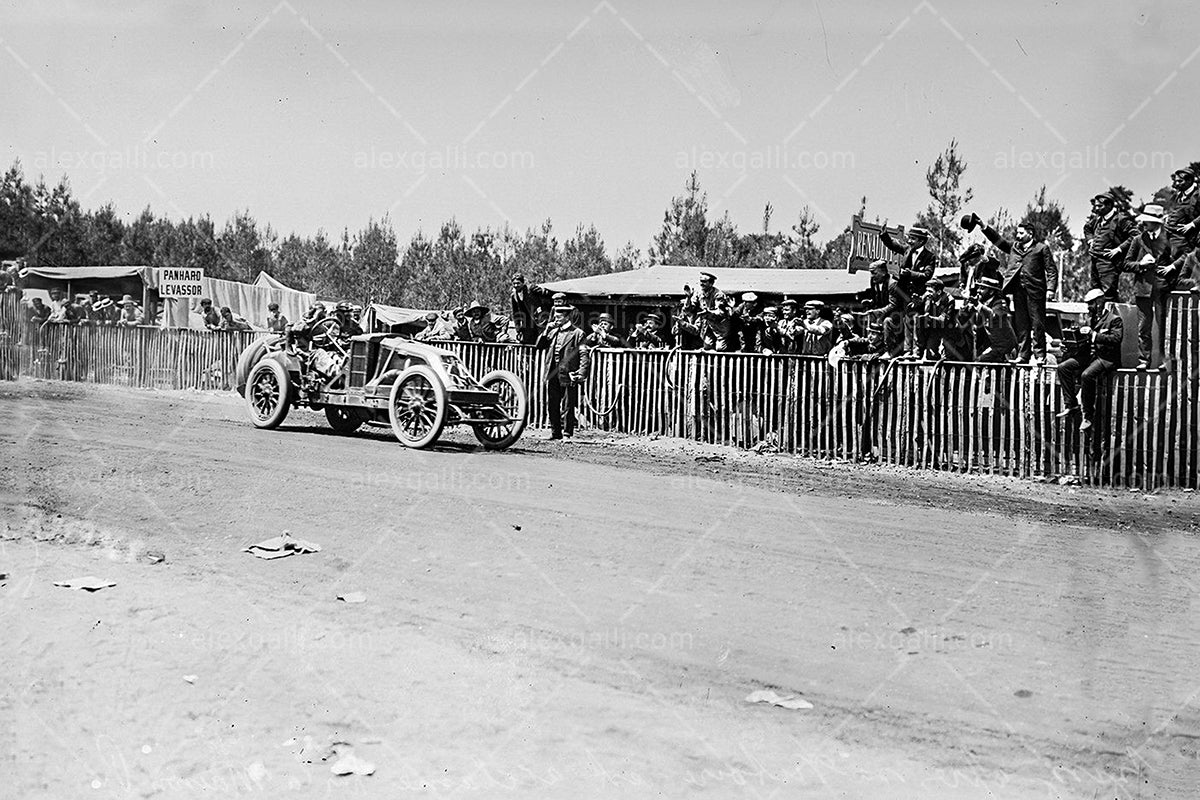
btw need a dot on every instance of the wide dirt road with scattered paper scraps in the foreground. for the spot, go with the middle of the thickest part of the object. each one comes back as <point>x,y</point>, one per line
<point>577,619</point>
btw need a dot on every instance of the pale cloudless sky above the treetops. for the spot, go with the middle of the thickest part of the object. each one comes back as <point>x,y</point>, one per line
<point>323,115</point>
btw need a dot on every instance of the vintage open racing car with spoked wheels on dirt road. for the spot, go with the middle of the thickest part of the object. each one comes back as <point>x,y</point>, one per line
<point>381,380</point>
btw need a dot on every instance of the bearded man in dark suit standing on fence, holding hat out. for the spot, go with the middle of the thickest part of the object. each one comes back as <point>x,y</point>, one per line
<point>1030,276</point>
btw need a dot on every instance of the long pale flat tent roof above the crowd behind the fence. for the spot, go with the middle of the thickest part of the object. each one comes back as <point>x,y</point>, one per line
<point>668,281</point>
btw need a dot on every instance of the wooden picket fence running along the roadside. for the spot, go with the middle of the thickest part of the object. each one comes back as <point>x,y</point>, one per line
<point>981,419</point>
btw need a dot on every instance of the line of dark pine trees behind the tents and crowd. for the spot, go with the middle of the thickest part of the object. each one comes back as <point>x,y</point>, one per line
<point>47,227</point>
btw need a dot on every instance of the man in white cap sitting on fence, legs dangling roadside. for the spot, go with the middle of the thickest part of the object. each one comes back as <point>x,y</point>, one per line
<point>1103,333</point>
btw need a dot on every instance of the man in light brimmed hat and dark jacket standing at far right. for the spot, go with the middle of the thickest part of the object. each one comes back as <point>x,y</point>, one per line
<point>1155,262</point>
